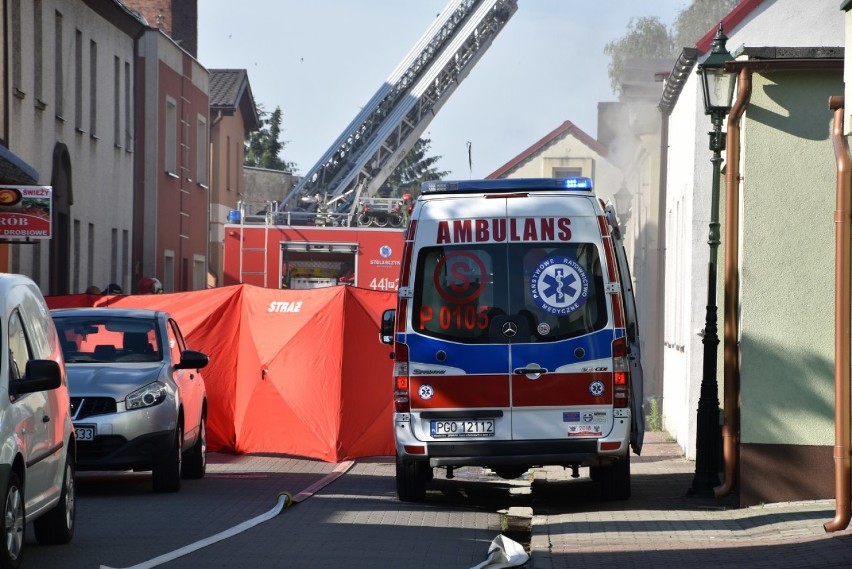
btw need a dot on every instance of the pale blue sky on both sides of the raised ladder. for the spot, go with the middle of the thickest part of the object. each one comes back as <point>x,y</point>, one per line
<point>320,61</point>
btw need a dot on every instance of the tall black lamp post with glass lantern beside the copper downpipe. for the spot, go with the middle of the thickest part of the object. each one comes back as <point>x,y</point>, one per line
<point>718,85</point>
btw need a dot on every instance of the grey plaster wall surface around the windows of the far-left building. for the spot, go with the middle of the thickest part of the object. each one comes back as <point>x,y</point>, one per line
<point>101,169</point>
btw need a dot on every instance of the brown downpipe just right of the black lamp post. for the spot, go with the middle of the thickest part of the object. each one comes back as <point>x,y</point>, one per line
<point>731,425</point>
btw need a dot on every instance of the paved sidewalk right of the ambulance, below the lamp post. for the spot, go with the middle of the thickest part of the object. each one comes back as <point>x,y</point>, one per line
<point>661,527</point>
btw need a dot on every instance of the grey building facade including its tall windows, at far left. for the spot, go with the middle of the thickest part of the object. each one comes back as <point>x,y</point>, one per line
<point>69,92</point>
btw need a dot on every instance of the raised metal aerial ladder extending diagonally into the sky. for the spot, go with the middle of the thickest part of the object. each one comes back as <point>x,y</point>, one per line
<point>339,189</point>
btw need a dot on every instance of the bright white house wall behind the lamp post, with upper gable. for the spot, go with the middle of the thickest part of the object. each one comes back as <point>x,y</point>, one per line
<point>775,23</point>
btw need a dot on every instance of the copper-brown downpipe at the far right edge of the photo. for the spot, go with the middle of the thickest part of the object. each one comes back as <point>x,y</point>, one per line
<point>842,321</point>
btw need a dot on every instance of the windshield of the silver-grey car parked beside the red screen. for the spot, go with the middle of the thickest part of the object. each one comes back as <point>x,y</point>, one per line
<point>100,339</point>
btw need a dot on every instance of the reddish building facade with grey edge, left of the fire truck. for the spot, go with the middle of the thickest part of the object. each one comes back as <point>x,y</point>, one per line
<point>171,198</point>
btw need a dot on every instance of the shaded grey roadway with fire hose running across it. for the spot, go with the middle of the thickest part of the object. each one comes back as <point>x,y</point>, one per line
<point>354,521</point>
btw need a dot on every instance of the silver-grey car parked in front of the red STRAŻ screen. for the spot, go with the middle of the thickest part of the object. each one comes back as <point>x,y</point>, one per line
<point>138,400</point>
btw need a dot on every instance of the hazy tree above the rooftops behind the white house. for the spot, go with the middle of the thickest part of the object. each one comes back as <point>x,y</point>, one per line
<point>648,37</point>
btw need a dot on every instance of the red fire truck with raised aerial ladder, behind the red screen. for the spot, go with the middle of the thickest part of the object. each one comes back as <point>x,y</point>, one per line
<point>331,228</point>
